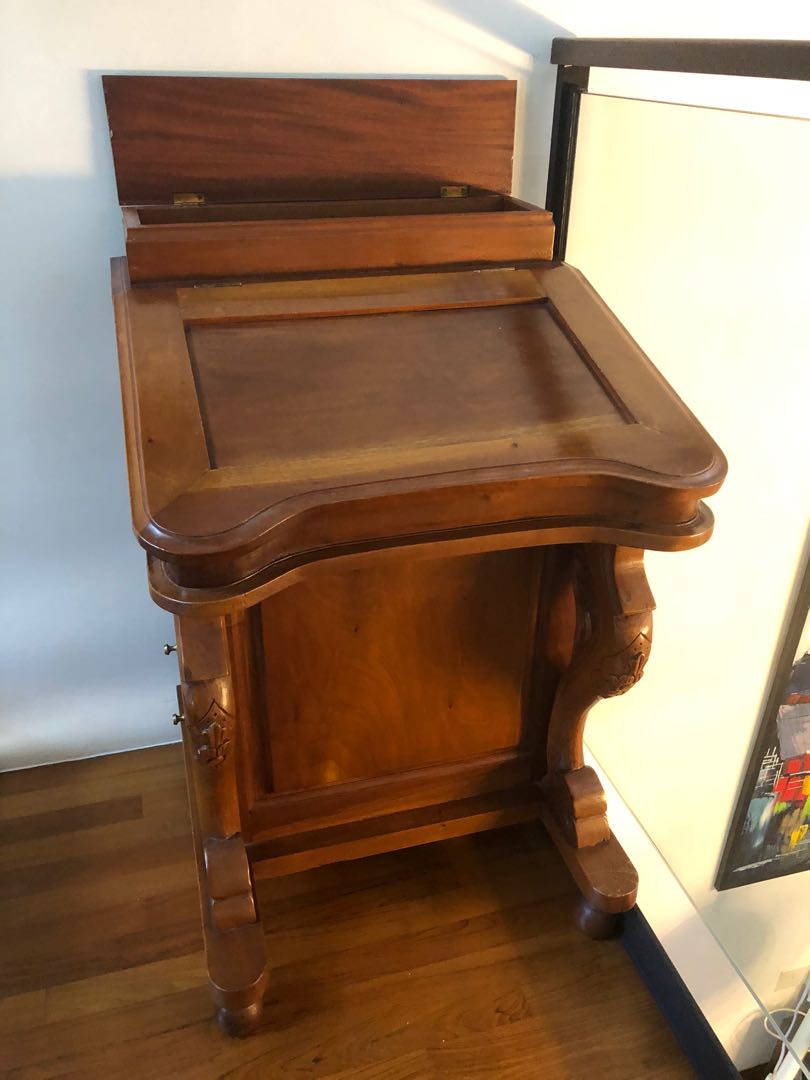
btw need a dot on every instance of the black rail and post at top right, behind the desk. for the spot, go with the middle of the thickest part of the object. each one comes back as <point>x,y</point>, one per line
<point>576,57</point>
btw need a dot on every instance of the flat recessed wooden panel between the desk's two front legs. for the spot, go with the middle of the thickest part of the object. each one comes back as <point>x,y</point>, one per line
<point>390,668</point>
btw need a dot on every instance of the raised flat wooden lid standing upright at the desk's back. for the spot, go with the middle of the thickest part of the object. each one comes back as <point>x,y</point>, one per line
<point>240,140</point>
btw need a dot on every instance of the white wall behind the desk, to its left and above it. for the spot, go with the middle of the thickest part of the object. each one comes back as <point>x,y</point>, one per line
<point>83,672</point>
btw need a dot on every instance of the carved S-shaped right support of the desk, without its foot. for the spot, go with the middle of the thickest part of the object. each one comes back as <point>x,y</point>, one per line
<point>613,641</point>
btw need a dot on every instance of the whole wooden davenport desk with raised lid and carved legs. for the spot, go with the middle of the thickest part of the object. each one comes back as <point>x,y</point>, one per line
<point>395,472</point>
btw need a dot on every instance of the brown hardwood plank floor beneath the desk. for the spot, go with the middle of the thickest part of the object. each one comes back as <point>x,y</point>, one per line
<point>455,961</point>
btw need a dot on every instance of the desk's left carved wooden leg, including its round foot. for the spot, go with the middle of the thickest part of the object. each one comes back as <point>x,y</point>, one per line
<point>235,942</point>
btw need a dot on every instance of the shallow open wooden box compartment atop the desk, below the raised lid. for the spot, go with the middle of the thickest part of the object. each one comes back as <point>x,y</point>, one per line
<point>251,240</point>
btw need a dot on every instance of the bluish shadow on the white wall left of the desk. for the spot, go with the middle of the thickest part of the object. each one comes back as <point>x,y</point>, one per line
<point>75,658</point>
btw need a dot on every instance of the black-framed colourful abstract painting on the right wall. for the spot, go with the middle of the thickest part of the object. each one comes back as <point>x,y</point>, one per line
<point>771,830</point>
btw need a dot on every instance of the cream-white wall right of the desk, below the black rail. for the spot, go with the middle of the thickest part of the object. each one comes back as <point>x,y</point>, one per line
<point>694,226</point>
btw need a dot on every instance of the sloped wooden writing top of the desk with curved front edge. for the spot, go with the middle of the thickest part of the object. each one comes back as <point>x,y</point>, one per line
<point>283,423</point>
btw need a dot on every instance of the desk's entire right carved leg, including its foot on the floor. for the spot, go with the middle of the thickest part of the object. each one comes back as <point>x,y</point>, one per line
<point>612,643</point>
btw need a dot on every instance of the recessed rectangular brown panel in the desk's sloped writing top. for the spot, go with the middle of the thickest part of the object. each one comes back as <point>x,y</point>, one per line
<point>337,387</point>
